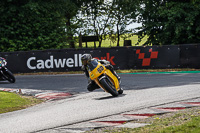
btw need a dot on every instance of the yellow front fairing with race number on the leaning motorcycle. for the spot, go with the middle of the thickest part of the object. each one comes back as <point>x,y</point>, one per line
<point>99,70</point>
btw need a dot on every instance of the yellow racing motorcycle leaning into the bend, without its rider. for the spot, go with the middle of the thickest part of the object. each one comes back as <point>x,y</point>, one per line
<point>104,78</point>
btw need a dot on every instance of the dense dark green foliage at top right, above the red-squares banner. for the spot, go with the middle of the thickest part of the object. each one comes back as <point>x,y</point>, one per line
<point>170,22</point>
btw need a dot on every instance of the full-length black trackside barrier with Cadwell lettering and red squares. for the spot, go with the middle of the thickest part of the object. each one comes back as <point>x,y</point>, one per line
<point>150,57</point>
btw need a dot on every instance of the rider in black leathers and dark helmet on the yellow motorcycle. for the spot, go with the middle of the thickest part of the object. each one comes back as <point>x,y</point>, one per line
<point>86,58</point>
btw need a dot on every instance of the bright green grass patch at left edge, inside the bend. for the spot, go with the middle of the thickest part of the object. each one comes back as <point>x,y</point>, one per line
<point>10,102</point>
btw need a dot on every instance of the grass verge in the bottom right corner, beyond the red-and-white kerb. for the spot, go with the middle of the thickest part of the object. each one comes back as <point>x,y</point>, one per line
<point>184,121</point>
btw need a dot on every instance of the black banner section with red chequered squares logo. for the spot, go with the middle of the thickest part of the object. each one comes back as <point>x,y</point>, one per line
<point>154,57</point>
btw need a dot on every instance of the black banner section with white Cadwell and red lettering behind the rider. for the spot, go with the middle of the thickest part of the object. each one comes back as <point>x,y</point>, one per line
<point>61,60</point>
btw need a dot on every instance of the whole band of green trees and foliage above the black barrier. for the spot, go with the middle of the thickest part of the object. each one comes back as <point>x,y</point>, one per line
<point>54,24</point>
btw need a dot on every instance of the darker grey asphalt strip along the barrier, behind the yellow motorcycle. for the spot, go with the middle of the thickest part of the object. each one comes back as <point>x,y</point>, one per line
<point>78,82</point>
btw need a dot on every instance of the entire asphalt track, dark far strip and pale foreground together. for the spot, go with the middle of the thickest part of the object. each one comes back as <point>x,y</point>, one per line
<point>141,91</point>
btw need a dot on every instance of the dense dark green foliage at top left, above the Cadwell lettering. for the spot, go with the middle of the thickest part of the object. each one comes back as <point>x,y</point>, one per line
<point>30,26</point>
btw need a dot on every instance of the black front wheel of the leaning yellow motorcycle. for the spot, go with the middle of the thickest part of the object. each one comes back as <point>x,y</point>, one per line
<point>109,86</point>
